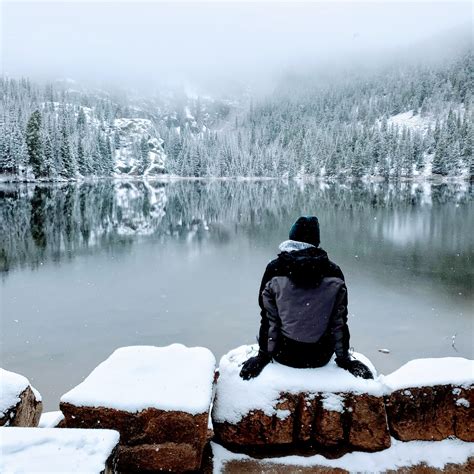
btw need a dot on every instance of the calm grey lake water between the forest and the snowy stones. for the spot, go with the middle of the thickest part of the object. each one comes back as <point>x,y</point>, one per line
<point>91,267</point>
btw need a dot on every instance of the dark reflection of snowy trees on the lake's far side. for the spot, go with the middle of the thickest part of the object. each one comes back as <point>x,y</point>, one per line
<point>426,228</point>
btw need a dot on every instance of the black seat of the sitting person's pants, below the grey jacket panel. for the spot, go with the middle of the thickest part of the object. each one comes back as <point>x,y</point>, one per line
<point>303,355</point>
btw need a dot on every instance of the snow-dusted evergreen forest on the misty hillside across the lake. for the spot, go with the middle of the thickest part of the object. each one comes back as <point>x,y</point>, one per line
<point>399,122</point>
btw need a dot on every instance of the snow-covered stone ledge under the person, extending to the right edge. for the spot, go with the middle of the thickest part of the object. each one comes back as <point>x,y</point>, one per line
<point>328,408</point>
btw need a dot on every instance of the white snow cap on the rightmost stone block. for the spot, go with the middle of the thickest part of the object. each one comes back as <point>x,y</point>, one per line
<point>430,372</point>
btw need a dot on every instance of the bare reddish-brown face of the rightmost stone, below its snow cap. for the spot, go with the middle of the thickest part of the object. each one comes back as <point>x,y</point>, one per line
<point>431,413</point>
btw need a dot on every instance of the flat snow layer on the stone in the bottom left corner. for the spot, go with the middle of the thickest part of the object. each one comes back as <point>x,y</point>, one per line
<point>48,450</point>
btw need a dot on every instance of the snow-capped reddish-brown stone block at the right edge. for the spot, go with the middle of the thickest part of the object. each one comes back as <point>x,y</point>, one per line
<point>432,399</point>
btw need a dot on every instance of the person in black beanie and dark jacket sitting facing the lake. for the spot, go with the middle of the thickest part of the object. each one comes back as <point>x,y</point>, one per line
<point>303,302</point>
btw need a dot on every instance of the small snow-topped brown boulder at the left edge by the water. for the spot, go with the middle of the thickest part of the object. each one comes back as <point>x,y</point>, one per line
<point>20,403</point>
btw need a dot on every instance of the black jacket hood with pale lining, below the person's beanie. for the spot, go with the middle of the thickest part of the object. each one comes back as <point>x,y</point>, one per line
<point>306,264</point>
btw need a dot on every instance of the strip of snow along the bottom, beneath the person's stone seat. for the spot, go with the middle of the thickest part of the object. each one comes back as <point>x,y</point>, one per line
<point>435,454</point>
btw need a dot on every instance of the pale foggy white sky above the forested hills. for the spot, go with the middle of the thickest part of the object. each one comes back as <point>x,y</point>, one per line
<point>139,43</point>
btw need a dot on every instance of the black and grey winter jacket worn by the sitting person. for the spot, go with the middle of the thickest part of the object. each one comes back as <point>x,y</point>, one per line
<point>303,301</point>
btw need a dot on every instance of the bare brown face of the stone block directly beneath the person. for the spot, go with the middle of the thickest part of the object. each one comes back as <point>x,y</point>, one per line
<point>359,422</point>
